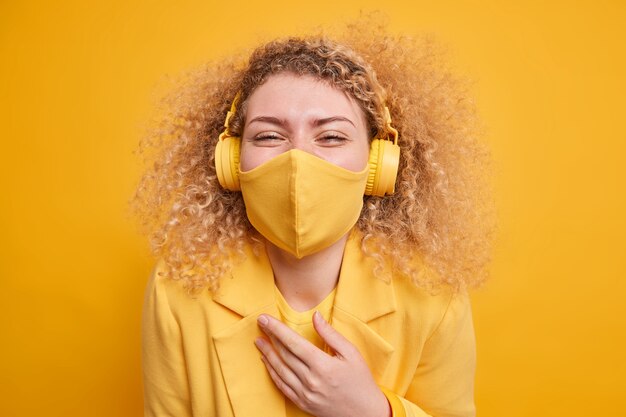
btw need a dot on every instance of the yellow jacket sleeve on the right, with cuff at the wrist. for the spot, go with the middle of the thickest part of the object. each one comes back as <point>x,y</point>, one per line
<point>443,384</point>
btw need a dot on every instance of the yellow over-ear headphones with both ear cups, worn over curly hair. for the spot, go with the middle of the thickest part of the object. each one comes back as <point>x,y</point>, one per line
<point>383,160</point>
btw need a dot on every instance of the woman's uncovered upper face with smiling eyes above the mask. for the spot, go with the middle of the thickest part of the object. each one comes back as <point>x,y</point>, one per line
<point>301,112</point>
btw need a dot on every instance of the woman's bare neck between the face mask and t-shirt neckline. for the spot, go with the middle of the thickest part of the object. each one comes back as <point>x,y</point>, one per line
<point>307,281</point>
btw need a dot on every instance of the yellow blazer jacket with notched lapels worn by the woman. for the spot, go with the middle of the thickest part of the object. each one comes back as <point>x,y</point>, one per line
<point>199,357</point>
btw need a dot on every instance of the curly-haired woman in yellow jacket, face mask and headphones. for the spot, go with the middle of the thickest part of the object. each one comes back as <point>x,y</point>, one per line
<point>289,204</point>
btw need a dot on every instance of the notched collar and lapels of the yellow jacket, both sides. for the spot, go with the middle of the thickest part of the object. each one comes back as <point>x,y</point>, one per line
<point>360,298</point>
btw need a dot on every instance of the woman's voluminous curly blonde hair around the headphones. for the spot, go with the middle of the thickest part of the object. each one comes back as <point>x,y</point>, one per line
<point>436,228</point>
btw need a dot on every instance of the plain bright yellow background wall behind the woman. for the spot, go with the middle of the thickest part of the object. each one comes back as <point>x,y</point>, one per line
<point>77,82</point>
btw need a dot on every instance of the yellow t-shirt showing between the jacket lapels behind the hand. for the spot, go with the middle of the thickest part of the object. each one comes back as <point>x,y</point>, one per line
<point>302,323</point>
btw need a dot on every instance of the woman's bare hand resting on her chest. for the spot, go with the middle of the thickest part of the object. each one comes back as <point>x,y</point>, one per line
<point>340,385</point>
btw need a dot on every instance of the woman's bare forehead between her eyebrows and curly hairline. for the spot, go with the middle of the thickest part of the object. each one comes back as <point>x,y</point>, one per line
<point>290,95</point>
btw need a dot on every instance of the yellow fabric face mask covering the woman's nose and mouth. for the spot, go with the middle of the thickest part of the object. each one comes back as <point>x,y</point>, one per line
<point>302,203</point>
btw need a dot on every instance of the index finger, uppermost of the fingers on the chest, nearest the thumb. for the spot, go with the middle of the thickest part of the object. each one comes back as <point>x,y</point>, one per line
<point>301,348</point>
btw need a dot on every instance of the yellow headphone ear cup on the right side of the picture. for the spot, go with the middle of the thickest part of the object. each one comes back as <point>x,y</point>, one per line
<point>383,162</point>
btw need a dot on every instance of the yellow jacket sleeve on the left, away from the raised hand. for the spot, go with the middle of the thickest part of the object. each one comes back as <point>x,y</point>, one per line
<point>166,390</point>
